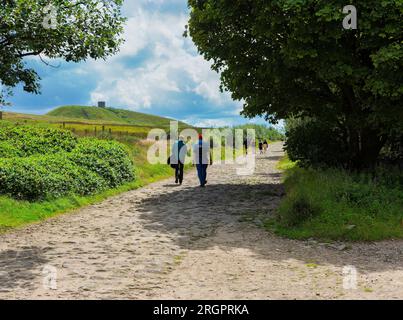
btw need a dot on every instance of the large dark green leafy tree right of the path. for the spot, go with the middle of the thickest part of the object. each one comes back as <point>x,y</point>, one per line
<point>293,58</point>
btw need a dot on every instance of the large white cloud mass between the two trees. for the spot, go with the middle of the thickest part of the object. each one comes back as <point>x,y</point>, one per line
<point>171,67</point>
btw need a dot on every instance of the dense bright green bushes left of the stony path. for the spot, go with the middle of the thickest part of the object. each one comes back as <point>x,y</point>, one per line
<point>49,163</point>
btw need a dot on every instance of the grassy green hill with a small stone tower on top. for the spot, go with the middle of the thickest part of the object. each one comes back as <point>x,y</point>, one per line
<point>110,115</point>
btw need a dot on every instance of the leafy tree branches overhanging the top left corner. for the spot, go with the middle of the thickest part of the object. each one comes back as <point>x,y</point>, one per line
<point>70,30</point>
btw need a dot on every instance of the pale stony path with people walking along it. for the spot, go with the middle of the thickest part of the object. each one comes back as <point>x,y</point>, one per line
<point>165,241</point>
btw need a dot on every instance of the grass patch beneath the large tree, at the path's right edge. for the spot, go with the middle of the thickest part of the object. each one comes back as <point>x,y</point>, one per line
<point>334,204</point>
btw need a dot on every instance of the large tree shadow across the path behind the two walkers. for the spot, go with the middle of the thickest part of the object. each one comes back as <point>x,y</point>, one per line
<point>192,216</point>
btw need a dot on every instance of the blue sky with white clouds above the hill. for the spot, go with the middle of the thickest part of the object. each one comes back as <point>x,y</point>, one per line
<point>157,71</point>
